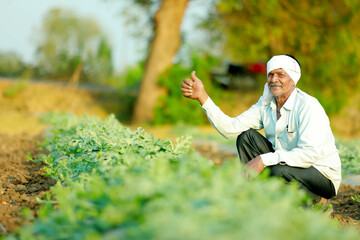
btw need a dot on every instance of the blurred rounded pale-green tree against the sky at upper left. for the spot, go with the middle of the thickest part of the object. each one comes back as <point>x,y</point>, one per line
<point>71,45</point>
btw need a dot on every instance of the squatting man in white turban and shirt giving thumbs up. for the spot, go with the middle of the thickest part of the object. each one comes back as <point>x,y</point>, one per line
<point>299,144</point>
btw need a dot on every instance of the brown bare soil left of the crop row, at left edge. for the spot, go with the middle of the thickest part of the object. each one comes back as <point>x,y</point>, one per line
<point>21,179</point>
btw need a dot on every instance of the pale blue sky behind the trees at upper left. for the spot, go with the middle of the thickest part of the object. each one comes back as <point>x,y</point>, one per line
<point>21,20</point>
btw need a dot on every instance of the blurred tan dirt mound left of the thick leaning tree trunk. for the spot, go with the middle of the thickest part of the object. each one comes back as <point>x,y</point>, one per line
<point>21,109</point>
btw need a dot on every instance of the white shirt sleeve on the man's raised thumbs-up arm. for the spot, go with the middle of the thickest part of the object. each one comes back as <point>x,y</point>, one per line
<point>232,127</point>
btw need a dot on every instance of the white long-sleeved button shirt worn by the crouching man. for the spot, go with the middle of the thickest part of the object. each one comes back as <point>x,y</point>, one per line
<point>302,136</point>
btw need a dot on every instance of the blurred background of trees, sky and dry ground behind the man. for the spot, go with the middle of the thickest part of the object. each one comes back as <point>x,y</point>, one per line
<point>129,58</point>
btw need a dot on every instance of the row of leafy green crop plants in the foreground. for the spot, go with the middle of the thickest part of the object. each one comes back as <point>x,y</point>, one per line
<point>132,186</point>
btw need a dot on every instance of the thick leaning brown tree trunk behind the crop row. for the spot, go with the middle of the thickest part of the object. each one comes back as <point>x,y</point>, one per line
<point>164,46</point>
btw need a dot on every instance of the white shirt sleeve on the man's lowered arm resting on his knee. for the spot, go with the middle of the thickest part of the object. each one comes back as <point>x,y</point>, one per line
<point>314,137</point>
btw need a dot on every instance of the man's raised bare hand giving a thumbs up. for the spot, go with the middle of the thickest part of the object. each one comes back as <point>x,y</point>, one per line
<point>194,89</point>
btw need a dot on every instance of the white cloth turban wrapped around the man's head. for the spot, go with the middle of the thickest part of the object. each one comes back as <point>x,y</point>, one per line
<point>288,64</point>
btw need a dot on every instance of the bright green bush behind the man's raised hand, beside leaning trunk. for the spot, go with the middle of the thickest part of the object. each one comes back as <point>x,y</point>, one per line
<point>173,107</point>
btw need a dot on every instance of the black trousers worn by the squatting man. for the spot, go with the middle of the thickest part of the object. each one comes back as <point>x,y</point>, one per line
<point>251,144</point>
